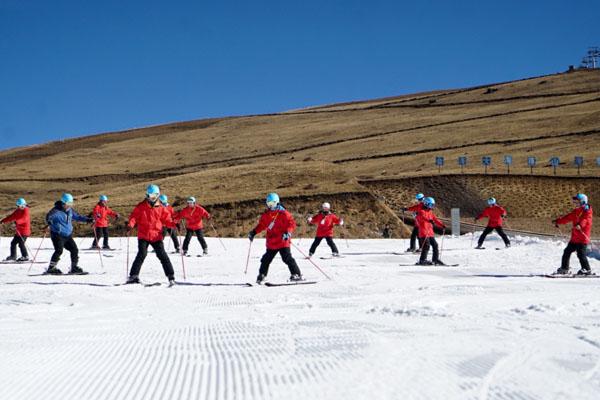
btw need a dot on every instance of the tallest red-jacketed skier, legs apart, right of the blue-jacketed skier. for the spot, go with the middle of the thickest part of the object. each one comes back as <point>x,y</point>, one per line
<point>150,217</point>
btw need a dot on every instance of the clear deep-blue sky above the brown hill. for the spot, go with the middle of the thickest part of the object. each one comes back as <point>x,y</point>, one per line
<point>69,68</point>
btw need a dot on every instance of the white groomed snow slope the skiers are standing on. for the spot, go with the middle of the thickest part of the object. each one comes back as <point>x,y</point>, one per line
<point>486,329</point>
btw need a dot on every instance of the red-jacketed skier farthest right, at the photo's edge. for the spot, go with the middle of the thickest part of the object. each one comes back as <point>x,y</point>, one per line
<point>581,218</point>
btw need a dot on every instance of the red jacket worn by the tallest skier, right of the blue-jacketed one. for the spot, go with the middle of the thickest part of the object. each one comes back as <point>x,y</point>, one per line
<point>149,221</point>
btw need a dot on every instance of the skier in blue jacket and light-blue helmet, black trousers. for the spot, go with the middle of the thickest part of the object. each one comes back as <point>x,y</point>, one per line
<point>60,221</point>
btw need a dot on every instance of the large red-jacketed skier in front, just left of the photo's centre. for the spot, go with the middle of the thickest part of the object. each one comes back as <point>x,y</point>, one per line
<point>279,224</point>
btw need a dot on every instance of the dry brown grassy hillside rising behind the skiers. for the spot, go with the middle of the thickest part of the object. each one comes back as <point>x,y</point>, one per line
<point>365,157</point>
